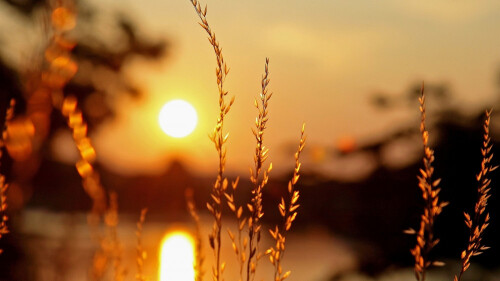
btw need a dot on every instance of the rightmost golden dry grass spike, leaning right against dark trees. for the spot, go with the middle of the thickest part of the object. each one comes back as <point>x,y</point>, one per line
<point>478,223</point>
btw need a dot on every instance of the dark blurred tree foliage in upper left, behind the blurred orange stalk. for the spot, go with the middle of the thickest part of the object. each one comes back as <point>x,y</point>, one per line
<point>101,60</point>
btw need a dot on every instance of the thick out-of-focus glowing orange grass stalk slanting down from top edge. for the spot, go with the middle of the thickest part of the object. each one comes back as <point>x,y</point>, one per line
<point>61,68</point>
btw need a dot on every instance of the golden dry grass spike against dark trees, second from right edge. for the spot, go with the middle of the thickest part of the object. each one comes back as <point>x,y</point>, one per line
<point>433,206</point>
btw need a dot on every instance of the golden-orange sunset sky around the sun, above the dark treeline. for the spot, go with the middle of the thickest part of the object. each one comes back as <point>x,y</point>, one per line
<point>327,59</point>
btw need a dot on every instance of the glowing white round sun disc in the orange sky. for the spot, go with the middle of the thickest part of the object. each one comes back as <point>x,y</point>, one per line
<point>178,118</point>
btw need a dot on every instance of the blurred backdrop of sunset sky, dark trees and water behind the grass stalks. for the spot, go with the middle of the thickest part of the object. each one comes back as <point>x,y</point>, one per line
<point>352,71</point>
